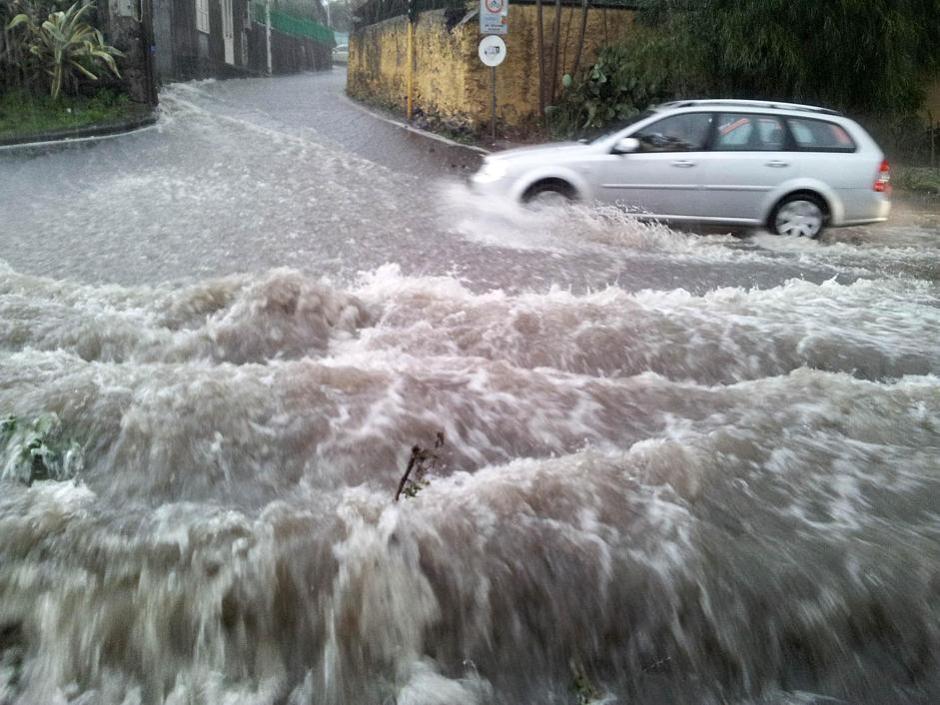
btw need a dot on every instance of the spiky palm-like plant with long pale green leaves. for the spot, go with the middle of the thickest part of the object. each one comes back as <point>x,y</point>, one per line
<point>67,45</point>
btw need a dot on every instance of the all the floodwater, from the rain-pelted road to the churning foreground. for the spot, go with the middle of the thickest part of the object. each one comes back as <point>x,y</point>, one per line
<point>677,468</point>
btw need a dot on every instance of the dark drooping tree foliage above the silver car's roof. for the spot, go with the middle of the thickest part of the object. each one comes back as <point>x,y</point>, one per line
<point>869,56</point>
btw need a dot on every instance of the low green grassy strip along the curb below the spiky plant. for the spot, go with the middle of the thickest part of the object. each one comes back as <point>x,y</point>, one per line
<point>23,114</point>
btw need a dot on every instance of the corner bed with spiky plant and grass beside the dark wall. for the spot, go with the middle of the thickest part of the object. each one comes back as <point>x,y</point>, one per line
<point>56,70</point>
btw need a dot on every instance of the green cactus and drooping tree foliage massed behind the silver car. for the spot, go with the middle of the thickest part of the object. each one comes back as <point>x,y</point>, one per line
<point>871,58</point>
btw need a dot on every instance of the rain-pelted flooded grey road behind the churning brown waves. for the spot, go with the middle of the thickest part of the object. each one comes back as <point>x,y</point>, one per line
<point>248,175</point>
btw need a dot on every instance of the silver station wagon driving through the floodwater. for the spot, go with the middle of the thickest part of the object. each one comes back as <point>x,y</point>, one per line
<point>794,169</point>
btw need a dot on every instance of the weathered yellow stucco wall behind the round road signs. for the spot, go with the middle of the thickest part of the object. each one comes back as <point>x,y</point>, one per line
<point>450,81</point>
